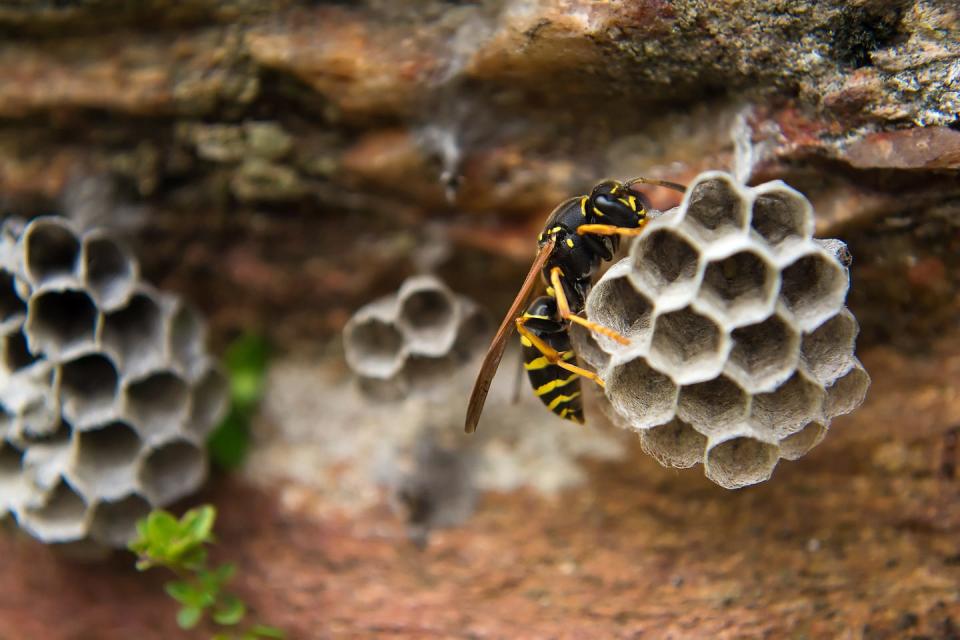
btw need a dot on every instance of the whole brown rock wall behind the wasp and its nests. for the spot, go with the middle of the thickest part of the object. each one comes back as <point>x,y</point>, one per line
<point>280,164</point>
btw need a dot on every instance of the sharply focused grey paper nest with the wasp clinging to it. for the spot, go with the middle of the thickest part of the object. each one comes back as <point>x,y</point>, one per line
<point>741,348</point>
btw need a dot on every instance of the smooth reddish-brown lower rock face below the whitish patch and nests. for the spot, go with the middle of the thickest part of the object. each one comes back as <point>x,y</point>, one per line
<point>859,539</point>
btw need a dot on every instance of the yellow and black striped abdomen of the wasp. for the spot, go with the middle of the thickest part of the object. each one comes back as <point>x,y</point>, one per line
<point>556,387</point>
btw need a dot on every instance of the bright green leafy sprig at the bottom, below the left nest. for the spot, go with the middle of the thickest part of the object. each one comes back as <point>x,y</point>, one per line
<point>181,546</point>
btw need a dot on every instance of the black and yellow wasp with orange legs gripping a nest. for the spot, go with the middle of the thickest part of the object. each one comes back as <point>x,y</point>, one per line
<point>579,234</point>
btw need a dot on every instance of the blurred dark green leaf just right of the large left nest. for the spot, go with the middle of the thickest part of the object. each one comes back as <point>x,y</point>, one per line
<point>246,364</point>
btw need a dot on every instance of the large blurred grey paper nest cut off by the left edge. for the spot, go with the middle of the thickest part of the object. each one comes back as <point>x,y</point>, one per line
<point>107,392</point>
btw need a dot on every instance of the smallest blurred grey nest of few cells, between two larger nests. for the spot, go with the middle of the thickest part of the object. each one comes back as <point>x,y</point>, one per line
<point>414,340</point>
